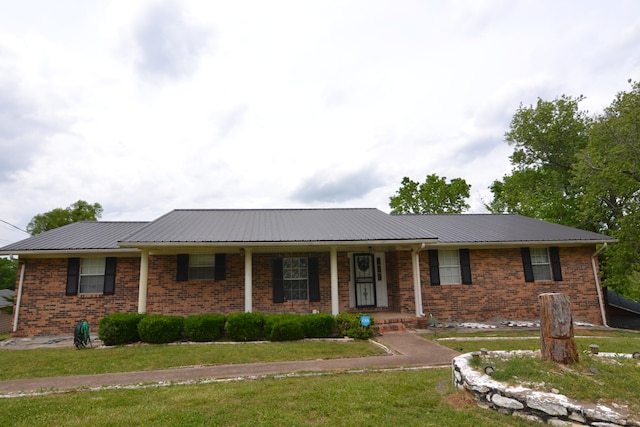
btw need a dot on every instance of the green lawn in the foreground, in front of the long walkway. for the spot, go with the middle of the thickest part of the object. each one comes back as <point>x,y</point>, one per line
<point>410,398</point>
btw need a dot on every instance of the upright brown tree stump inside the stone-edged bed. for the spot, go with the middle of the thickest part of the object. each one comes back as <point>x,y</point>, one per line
<point>557,341</point>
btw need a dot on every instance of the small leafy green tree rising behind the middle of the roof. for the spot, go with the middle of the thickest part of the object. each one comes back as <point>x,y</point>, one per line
<point>434,196</point>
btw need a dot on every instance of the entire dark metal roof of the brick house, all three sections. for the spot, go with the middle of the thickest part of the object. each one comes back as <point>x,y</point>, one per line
<point>301,225</point>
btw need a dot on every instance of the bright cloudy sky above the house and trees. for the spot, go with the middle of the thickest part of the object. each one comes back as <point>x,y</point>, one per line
<point>150,106</point>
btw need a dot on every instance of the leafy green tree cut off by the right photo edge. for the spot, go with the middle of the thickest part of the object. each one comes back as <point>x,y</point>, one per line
<point>608,173</point>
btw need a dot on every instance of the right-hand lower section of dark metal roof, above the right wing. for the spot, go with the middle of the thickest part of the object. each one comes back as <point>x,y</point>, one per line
<point>485,228</point>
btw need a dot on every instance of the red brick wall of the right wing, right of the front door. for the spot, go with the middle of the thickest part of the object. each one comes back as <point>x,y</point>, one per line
<point>499,290</point>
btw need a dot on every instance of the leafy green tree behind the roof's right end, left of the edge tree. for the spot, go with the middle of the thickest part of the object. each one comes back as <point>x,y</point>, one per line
<point>546,138</point>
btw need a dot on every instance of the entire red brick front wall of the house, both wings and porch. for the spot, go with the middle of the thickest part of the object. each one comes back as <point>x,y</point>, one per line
<point>498,290</point>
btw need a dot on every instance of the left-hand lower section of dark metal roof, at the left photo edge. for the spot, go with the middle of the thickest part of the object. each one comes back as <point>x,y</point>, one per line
<point>84,235</point>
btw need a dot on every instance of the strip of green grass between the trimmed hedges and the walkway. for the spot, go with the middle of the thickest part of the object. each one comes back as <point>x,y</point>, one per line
<point>49,362</point>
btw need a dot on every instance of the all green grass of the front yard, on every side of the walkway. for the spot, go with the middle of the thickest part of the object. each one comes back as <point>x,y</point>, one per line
<point>407,398</point>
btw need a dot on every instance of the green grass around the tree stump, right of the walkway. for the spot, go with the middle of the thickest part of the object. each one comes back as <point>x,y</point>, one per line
<point>593,379</point>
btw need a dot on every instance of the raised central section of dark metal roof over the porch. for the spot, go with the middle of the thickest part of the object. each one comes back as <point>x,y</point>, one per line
<point>275,225</point>
